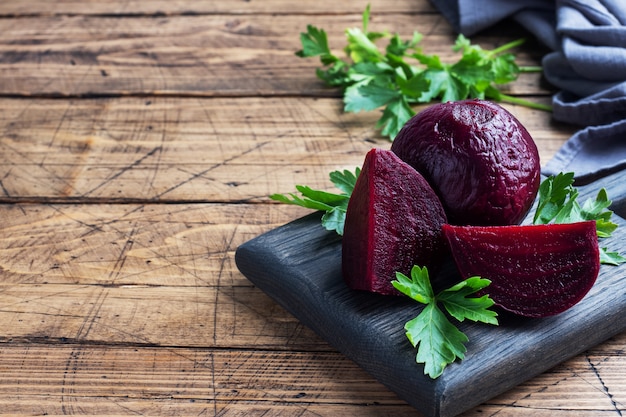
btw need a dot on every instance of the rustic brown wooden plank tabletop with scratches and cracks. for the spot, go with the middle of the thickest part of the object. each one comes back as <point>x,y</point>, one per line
<point>139,142</point>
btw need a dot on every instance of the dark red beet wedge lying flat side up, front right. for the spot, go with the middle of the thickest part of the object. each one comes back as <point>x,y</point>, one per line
<point>535,270</point>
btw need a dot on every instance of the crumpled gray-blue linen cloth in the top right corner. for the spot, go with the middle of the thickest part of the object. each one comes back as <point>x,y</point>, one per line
<point>587,65</point>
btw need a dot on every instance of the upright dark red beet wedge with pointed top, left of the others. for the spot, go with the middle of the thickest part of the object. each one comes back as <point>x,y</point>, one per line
<point>393,222</point>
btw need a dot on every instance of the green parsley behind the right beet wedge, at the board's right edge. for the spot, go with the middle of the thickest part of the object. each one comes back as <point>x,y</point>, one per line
<point>558,203</point>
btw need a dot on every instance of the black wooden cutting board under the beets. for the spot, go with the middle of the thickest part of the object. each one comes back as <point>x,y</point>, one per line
<point>299,266</point>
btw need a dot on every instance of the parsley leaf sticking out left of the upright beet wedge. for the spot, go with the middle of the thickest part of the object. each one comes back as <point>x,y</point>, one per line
<point>334,205</point>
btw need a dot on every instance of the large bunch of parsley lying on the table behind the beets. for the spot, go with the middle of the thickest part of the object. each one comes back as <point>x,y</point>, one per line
<point>402,75</point>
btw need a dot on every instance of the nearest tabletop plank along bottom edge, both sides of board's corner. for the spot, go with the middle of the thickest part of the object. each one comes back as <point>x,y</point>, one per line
<point>101,380</point>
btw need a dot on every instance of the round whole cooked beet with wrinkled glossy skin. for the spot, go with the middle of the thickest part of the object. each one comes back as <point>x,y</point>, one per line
<point>478,158</point>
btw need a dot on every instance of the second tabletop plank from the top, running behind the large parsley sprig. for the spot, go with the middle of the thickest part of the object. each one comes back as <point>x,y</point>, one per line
<point>218,55</point>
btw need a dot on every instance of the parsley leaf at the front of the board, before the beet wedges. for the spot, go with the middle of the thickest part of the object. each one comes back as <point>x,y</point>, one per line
<point>438,341</point>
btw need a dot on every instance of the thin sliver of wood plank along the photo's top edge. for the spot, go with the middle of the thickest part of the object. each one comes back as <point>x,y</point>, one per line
<point>167,7</point>
